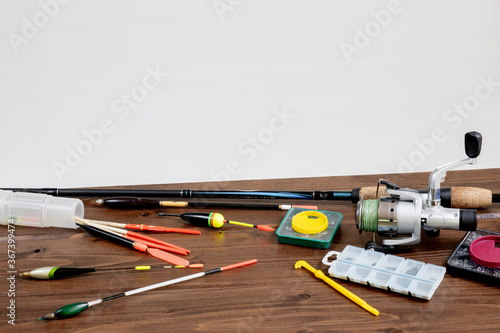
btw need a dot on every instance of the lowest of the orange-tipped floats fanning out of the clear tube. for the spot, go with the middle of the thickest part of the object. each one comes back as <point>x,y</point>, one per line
<point>139,246</point>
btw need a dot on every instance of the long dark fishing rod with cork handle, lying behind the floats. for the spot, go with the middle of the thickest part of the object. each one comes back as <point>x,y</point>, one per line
<point>456,197</point>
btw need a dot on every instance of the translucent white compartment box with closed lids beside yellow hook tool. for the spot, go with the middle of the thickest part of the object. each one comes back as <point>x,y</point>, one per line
<point>385,271</point>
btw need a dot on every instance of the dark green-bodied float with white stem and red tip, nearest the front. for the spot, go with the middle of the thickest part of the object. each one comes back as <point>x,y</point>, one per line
<point>74,309</point>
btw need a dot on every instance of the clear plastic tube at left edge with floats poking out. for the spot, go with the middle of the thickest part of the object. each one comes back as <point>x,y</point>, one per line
<point>39,210</point>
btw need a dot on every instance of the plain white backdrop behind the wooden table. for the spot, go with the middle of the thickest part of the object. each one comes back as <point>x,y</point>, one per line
<point>96,93</point>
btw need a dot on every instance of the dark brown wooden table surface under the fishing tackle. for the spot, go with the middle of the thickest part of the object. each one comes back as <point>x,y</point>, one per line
<point>269,296</point>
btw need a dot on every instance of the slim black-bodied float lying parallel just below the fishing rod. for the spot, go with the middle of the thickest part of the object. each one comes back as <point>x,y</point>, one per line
<point>144,203</point>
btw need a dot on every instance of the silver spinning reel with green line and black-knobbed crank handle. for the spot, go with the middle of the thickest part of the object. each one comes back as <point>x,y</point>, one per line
<point>406,211</point>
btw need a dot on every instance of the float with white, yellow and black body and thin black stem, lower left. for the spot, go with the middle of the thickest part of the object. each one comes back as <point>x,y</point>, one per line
<point>54,272</point>
